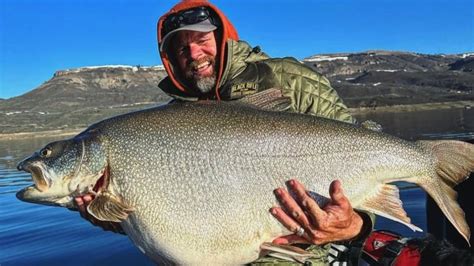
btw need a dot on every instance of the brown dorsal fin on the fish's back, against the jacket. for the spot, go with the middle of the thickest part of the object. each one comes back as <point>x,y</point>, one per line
<point>269,99</point>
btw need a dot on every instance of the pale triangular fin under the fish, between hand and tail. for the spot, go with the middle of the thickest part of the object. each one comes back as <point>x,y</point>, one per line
<point>386,203</point>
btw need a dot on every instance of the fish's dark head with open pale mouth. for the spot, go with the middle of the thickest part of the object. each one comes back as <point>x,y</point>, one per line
<point>63,170</point>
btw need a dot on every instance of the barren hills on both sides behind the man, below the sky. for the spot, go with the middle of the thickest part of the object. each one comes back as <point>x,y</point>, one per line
<point>75,98</point>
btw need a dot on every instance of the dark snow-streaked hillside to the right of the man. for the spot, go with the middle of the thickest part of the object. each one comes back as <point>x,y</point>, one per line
<point>381,78</point>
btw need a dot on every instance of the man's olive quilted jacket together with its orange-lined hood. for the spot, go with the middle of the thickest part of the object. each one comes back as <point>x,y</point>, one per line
<point>242,70</point>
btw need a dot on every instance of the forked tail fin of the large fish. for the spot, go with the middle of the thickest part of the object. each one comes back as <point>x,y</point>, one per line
<point>455,163</point>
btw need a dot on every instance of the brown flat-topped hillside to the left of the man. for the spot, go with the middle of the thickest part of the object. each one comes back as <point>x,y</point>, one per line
<point>76,98</point>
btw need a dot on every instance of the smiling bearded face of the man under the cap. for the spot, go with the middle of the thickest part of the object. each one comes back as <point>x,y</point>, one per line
<point>196,56</point>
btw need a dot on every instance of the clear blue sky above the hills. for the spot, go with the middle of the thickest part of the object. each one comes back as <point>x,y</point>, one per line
<point>38,37</point>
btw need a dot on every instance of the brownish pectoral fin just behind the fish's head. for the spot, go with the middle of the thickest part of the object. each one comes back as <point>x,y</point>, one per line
<point>108,207</point>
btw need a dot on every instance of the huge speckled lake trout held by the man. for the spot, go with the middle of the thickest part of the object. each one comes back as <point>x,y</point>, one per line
<point>192,183</point>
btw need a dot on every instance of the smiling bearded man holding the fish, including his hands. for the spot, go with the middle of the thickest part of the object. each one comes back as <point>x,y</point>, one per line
<point>205,60</point>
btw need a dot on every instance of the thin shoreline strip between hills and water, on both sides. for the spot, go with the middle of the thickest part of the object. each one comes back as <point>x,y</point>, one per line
<point>354,111</point>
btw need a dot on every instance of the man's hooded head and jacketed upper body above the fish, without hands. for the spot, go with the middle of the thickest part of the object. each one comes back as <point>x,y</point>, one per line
<point>232,69</point>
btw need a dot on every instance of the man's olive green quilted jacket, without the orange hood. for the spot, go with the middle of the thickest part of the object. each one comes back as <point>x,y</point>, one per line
<point>248,70</point>
